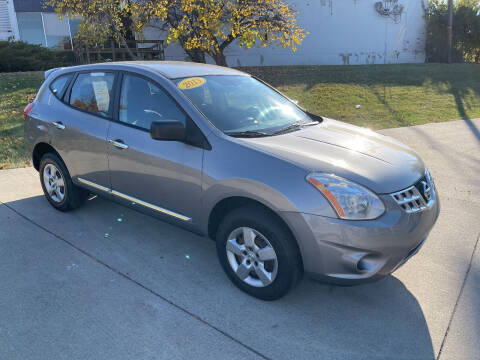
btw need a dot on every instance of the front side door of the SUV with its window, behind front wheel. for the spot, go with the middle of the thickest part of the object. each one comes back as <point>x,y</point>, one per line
<point>163,177</point>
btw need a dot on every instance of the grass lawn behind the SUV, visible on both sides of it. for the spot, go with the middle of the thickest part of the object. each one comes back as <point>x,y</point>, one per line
<point>388,95</point>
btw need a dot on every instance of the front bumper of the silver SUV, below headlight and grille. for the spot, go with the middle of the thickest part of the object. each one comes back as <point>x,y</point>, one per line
<point>351,252</point>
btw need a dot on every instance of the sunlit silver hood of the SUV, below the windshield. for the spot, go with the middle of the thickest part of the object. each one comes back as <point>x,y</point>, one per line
<point>378,162</point>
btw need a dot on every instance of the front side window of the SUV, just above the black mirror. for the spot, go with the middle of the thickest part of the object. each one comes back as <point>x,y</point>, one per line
<point>142,102</point>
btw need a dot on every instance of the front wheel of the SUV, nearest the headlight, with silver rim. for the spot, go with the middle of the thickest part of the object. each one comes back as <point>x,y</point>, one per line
<point>258,253</point>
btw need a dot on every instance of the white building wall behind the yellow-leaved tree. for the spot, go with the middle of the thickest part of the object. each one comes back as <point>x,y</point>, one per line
<point>340,32</point>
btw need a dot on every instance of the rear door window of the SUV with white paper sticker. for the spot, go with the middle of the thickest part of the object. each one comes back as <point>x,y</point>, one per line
<point>92,92</point>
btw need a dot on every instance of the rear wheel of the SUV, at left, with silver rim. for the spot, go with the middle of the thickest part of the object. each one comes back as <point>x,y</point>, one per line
<point>57,184</point>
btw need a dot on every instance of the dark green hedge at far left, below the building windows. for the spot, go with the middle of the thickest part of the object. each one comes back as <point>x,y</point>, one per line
<point>21,56</point>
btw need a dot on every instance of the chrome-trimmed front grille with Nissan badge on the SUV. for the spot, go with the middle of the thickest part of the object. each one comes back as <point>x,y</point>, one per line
<point>417,197</point>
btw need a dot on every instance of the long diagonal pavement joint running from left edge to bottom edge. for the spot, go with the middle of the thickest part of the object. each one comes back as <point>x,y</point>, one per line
<point>118,272</point>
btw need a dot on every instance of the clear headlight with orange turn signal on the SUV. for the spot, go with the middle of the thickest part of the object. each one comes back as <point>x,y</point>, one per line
<point>350,201</point>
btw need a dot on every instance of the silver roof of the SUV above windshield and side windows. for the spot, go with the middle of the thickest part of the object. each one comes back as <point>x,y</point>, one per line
<point>169,69</point>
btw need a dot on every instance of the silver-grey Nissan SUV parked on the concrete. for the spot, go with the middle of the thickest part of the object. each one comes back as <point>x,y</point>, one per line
<point>217,151</point>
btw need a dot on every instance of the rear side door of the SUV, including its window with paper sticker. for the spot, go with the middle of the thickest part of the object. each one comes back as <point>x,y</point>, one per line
<point>79,131</point>
